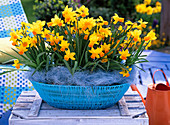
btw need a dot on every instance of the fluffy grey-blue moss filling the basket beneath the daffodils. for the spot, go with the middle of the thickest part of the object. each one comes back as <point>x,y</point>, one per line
<point>61,76</point>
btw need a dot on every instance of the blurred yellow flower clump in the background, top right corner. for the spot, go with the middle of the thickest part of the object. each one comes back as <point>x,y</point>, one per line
<point>146,8</point>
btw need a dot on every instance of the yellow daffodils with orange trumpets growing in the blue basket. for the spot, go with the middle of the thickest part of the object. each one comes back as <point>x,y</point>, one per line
<point>82,41</point>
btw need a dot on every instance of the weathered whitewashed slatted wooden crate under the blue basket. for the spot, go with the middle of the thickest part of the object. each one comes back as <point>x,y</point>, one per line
<point>31,110</point>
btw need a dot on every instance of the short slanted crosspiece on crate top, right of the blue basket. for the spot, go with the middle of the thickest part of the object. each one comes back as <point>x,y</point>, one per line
<point>123,107</point>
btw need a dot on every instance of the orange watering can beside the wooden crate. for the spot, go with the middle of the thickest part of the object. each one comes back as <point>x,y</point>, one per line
<point>157,102</point>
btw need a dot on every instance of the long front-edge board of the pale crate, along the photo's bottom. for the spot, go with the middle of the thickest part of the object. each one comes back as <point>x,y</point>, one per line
<point>81,121</point>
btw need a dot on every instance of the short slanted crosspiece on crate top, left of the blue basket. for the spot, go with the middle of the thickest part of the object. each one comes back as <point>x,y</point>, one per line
<point>35,106</point>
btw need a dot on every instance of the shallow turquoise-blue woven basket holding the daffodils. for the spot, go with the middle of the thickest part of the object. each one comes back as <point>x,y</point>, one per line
<point>80,97</point>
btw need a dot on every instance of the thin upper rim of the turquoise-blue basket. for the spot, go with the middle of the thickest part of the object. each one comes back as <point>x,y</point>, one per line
<point>50,85</point>
